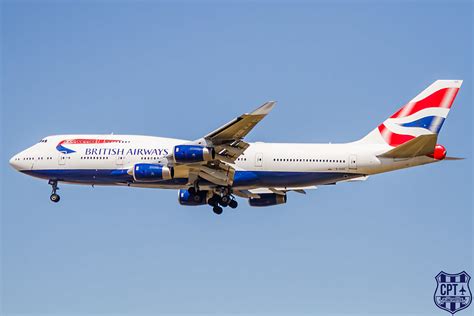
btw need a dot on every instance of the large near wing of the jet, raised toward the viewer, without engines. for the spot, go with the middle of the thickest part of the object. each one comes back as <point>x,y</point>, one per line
<point>228,144</point>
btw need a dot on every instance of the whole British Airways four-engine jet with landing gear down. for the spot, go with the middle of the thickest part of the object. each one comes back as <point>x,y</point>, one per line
<point>215,169</point>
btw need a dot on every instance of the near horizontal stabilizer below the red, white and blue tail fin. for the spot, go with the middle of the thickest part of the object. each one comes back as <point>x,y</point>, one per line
<point>419,146</point>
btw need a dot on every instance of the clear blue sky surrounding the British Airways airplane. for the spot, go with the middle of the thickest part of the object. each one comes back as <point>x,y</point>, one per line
<point>182,69</point>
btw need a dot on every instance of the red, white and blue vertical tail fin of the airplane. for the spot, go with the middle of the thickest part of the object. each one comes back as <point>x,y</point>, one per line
<point>424,115</point>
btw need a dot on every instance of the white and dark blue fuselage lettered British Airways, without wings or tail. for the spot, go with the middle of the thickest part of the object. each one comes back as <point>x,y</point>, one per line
<point>262,164</point>
